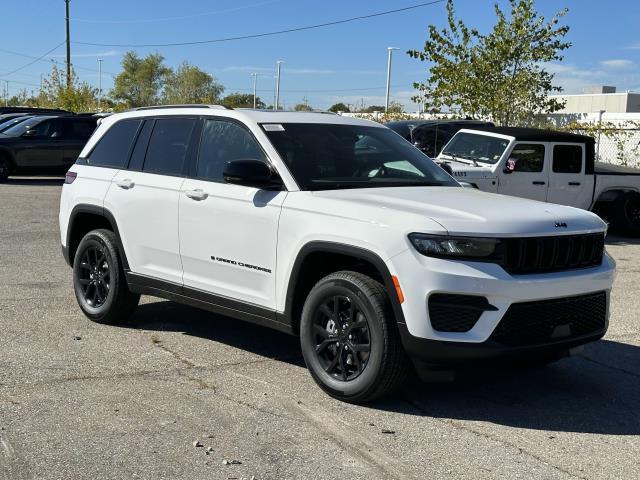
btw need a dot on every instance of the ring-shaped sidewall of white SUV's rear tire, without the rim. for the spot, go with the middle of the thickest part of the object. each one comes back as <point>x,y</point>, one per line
<point>95,239</point>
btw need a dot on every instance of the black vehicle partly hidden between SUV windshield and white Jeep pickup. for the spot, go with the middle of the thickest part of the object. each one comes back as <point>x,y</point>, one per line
<point>431,135</point>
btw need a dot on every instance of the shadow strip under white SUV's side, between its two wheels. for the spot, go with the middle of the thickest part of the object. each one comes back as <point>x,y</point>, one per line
<point>166,316</point>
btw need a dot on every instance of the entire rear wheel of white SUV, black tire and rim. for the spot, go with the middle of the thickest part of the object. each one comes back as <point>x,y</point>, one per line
<point>99,281</point>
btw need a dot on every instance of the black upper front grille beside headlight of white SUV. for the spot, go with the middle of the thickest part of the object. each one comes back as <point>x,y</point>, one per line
<point>552,254</point>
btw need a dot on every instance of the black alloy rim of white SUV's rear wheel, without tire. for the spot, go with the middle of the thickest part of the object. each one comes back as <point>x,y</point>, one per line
<point>95,276</point>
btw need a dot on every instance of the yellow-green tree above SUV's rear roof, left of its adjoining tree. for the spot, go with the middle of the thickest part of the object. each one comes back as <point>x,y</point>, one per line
<point>141,81</point>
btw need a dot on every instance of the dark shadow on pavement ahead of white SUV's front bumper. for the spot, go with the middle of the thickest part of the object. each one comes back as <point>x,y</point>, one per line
<point>596,392</point>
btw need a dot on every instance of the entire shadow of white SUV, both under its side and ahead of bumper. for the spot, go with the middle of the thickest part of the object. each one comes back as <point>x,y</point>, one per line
<point>596,392</point>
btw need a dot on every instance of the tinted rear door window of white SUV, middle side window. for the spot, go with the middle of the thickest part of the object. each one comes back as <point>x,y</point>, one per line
<point>168,145</point>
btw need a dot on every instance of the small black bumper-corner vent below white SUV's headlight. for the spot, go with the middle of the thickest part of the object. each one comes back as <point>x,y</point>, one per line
<point>456,313</point>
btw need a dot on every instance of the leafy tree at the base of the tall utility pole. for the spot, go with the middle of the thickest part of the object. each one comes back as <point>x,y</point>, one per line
<point>76,96</point>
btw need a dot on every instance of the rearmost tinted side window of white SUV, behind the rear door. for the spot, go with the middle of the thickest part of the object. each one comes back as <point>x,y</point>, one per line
<point>114,147</point>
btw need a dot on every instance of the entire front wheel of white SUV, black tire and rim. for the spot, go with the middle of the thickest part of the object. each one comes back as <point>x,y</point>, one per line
<point>335,351</point>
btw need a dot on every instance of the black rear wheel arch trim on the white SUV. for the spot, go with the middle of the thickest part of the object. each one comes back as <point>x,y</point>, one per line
<point>87,217</point>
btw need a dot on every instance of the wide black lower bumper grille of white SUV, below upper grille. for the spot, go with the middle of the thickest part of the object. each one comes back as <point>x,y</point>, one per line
<point>532,323</point>
